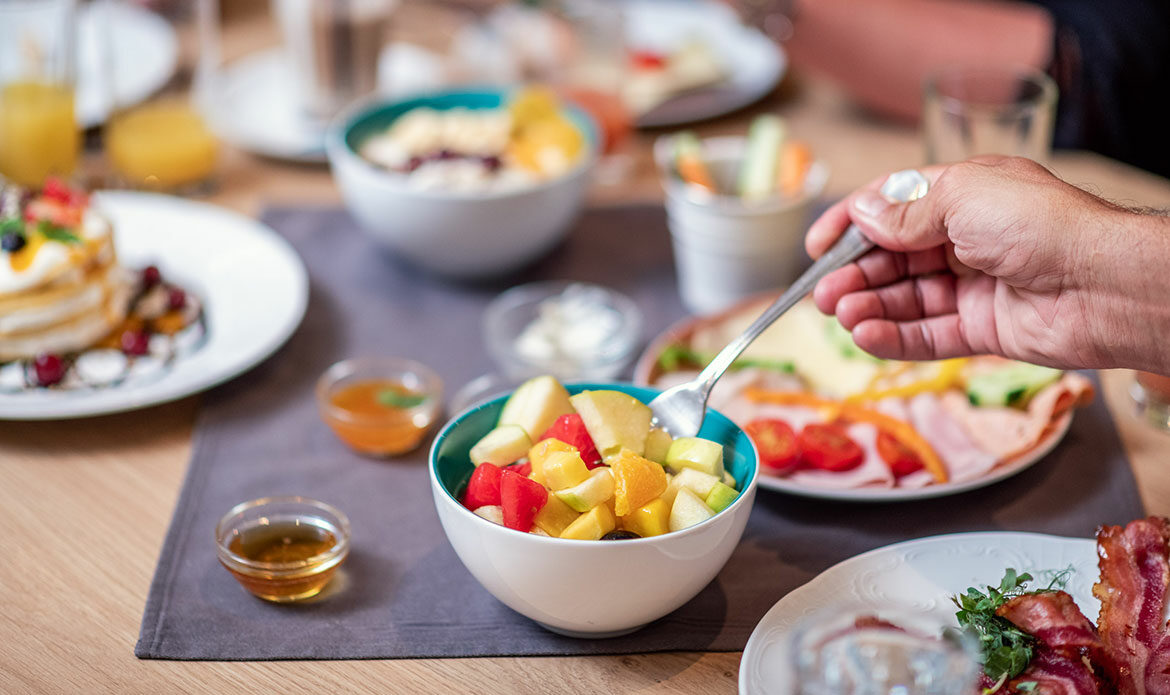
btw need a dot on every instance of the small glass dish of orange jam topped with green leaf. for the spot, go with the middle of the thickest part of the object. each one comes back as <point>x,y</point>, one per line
<point>381,407</point>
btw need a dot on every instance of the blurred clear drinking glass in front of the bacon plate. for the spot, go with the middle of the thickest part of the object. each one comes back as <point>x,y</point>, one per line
<point>862,651</point>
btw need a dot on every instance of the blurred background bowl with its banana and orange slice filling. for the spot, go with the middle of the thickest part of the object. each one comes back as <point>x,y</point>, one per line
<point>466,184</point>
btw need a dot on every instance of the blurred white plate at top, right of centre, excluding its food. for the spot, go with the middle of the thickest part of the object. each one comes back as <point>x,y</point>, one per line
<point>754,63</point>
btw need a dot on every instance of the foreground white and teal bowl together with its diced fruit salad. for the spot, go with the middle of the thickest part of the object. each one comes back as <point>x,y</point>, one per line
<point>570,508</point>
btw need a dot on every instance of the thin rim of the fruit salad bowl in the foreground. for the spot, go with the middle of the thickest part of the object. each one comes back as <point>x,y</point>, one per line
<point>450,499</point>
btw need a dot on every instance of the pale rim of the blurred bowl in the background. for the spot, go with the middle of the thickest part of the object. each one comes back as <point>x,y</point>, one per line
<point>336,148</point>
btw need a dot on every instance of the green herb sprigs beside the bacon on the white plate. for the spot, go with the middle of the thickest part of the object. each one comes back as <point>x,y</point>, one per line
<point>1006,650</point>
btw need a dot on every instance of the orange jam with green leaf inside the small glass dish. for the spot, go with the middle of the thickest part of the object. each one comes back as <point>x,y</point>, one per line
<point>380,417</point>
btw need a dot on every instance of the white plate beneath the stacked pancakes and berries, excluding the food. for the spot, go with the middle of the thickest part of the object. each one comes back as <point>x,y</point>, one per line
<point>253,286</point>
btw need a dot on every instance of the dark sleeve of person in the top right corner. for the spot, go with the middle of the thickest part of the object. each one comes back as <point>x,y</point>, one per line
<point>1112,63</point>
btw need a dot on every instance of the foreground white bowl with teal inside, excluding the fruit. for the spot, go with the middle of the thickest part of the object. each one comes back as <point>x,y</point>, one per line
<point>588,589</point>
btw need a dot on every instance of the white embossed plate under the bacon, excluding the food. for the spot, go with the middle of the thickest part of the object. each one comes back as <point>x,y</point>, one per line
<point>917,577</point>
